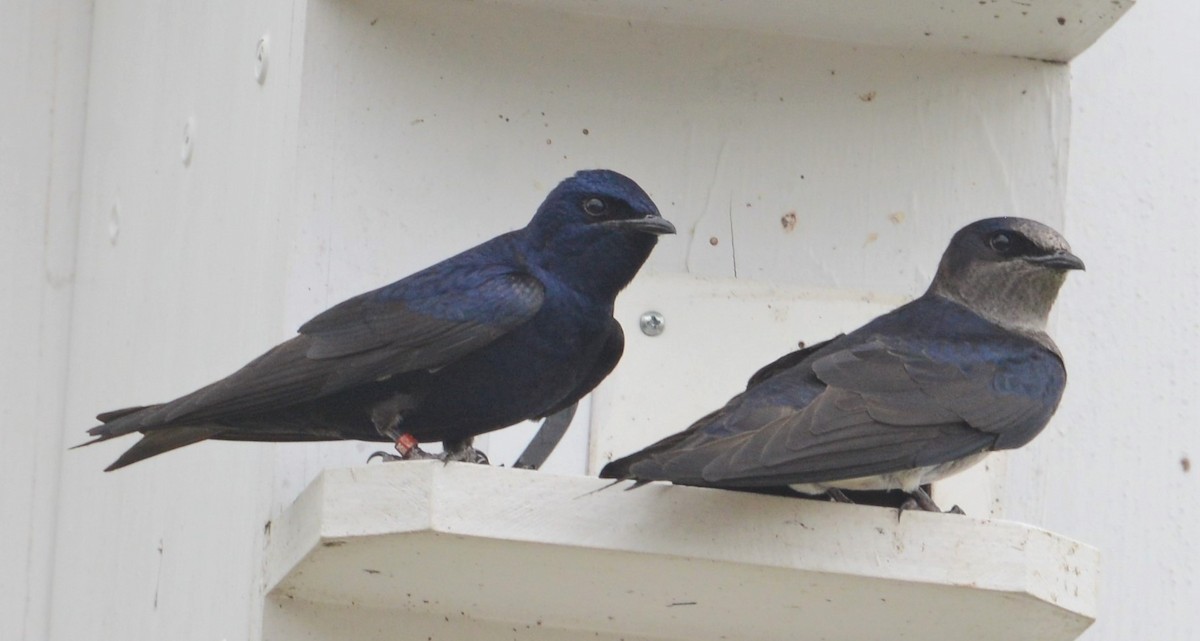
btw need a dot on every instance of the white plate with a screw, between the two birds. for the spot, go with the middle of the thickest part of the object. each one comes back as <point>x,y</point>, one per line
<point>718,333</point>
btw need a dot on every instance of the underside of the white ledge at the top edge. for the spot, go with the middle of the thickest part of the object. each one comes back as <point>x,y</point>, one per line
<point>1041,29</point>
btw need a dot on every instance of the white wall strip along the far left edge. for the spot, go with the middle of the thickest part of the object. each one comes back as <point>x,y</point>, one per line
<point>44,75</point>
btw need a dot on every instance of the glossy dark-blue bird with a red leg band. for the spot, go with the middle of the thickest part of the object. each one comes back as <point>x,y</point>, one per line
<point>517,328</point>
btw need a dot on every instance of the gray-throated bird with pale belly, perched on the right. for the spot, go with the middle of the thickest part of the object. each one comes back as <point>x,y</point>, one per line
<point>915,396</point>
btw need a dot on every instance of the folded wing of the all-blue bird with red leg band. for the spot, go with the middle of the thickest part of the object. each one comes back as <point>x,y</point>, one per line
<point>363,340</point>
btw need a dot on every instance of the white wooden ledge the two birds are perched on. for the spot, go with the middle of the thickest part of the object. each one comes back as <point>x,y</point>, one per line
<point>427,550</point>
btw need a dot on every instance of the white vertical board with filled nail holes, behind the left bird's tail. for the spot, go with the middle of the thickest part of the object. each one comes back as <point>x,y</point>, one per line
<point>178,283</point>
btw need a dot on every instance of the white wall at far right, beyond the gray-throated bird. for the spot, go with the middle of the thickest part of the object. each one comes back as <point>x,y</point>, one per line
<point>1109,469</point>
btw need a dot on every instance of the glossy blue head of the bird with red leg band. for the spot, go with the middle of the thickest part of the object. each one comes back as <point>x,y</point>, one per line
<point>596,230</point>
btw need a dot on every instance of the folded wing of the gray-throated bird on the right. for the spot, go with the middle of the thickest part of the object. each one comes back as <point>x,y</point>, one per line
<point>889,405</point>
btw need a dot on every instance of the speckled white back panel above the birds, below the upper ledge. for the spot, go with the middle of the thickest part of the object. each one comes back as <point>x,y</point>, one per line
<point>427,118</point>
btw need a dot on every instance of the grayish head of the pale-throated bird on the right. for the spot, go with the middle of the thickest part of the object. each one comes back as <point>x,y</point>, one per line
<point>1007,271</point>
